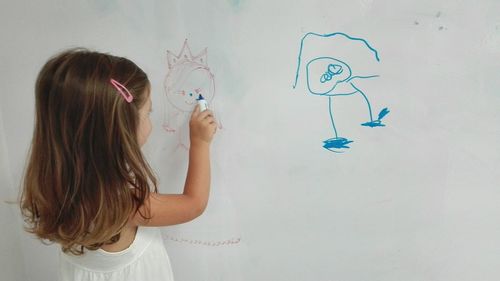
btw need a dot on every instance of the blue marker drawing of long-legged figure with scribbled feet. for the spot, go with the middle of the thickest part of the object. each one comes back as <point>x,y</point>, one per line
<point>331,76</point>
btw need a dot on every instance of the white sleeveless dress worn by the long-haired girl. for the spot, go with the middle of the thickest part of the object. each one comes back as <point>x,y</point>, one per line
<point>145,259</point>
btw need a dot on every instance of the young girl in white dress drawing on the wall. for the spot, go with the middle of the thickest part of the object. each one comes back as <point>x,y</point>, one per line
<point>87,185</point>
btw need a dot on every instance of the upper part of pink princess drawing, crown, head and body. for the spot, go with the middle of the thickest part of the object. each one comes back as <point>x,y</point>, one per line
<point>188,77</point>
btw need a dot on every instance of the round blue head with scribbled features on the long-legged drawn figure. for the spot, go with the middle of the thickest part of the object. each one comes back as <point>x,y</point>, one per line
<point>324,73</point>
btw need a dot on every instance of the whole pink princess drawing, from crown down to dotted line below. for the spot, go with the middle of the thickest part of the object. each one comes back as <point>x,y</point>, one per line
<point>188,77</point>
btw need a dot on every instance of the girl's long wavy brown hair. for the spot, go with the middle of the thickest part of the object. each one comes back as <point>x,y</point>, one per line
<point>86,174</point>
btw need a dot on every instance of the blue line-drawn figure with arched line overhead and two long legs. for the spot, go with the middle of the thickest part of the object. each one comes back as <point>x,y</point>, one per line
<point>330,72</point>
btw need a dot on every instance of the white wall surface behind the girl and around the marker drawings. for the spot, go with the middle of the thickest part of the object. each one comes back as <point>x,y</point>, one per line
<point>418,199</point>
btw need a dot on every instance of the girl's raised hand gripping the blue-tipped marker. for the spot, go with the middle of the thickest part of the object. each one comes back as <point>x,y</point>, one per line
<point>202,126</point>
